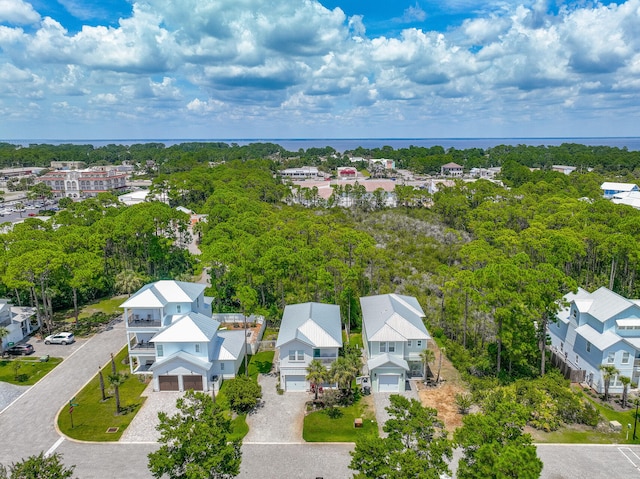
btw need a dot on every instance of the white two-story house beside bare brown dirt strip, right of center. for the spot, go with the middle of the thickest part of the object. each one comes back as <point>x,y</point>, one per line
<point>394,335</point>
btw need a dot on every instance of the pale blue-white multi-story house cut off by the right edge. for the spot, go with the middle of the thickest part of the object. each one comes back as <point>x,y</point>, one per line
<point>599,328</point>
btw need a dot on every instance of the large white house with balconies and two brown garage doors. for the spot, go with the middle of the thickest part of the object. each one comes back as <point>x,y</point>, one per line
<point>171,333</point>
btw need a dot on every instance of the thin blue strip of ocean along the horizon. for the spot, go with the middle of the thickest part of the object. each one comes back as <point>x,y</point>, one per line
<point>344,144</point>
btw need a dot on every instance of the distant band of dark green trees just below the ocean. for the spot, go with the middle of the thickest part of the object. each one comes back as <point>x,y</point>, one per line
<point>156,158</point>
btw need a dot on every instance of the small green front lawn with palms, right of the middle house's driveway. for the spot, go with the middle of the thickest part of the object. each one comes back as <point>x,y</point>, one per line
<point>320,427</point>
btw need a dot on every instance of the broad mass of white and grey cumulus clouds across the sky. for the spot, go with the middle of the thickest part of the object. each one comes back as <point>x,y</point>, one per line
<point>261,59</point>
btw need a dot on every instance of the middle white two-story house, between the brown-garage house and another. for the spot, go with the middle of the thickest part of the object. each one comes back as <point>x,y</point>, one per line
<point>308,331</point>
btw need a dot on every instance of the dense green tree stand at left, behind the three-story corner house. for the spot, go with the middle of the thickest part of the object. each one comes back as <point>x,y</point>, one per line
<point>90,250</point>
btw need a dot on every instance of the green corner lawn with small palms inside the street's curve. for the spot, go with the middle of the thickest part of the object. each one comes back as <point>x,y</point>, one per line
<point>92,417</point>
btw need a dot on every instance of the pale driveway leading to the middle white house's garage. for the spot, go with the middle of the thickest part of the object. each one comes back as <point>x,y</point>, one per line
<point>279,418</point>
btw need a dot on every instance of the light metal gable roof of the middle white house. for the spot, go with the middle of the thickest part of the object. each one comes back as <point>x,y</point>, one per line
<point>315,324</point>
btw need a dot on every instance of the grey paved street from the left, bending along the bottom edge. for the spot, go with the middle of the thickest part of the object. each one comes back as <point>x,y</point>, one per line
<point>28,428</point>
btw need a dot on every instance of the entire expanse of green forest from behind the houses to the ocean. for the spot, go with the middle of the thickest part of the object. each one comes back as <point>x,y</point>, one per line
<point>488,263</point>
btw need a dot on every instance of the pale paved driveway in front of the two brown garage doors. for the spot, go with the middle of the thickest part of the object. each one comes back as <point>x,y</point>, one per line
<point>143,426</point>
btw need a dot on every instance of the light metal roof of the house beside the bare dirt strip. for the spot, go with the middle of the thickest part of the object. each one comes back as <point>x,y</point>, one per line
<point>393,317</point>
